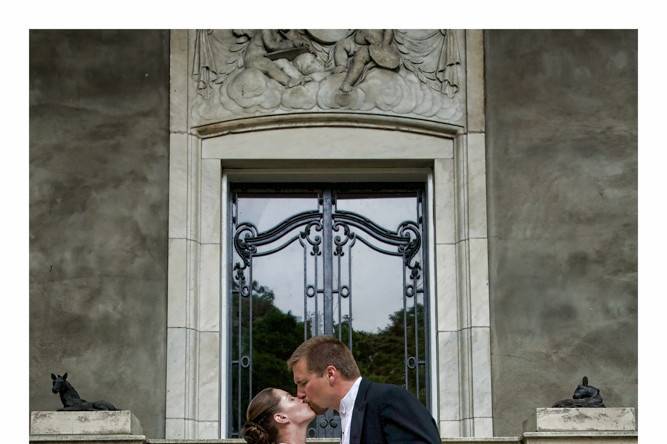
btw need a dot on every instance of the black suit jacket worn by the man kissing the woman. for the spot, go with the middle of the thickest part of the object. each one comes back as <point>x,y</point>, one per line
<point>385,413</point>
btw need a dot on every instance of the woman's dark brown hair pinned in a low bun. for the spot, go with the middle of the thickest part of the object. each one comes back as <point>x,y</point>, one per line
<point>260,428</point>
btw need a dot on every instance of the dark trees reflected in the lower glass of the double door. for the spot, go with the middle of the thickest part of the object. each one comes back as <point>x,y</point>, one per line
<point>276,334</point>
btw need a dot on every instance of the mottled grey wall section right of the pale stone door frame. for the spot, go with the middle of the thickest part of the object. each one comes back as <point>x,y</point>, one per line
<point>562,201</point>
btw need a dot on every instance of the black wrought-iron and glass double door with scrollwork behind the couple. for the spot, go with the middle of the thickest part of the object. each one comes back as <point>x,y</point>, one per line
<point>324,239</point>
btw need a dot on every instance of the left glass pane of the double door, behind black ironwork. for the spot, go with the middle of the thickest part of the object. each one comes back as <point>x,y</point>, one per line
<point>277,306</point>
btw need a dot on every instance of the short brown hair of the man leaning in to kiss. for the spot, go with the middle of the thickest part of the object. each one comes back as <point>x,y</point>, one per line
<point>322,351</point>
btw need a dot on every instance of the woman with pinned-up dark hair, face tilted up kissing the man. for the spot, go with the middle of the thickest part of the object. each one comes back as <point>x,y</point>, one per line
<point>276,417</point>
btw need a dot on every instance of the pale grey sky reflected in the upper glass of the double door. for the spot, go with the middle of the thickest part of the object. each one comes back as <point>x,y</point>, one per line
<point>377,279</point>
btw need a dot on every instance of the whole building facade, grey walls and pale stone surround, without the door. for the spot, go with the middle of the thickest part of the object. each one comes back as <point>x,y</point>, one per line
<point>524,143</point>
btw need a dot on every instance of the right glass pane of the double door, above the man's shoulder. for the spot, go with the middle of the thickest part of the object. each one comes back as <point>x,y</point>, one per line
<point>381,333</point>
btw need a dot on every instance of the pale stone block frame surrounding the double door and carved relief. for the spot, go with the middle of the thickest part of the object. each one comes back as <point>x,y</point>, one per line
<point>201,160</point>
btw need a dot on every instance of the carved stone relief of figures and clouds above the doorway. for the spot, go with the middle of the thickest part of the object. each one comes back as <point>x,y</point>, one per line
<point>249,72</point>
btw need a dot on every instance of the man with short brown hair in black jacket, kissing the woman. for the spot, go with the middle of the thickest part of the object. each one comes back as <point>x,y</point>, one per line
<point>327,377</point>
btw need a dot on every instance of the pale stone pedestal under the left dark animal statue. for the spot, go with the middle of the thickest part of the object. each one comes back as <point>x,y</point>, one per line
<point>85,427</point>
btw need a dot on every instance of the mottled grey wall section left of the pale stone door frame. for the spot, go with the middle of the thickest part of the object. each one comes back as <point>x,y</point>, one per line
<point>99,111</point>
